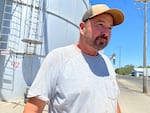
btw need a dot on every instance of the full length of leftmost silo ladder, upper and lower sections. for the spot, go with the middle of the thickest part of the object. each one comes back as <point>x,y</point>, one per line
<point>9,40</point>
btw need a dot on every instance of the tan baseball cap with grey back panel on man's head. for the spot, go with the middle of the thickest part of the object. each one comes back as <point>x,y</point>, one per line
<point>118,16</point>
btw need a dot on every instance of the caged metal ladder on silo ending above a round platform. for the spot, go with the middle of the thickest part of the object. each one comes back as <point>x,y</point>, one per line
<point>33,29</point>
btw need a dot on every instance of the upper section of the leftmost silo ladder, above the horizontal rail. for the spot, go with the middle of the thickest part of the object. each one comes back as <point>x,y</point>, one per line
<point>11,25</point>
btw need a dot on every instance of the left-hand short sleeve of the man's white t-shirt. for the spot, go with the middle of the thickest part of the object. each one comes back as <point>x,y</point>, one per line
<point>43,87</point>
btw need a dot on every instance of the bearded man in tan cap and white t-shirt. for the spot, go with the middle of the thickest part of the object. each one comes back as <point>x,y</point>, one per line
<point>78,78</point>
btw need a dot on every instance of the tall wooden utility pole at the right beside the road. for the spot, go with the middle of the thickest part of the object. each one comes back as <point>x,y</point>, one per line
<point>145,77</point>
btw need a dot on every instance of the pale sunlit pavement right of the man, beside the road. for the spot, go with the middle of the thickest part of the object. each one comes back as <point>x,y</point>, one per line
<point>131,99</point>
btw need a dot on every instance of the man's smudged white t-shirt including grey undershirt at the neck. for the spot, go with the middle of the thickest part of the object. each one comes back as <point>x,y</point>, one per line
<point>69,83</point>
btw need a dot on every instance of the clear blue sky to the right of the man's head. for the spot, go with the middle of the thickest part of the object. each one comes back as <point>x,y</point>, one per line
<point>127,38</point>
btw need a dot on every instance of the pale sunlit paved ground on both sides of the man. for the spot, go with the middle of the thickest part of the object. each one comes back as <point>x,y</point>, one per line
<point>131,100</point>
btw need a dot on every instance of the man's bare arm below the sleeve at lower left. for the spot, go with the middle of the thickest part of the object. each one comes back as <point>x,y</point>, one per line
<point>34,105</point>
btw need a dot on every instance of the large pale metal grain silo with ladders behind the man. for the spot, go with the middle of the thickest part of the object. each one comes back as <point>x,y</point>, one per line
<point>29,29</point>
